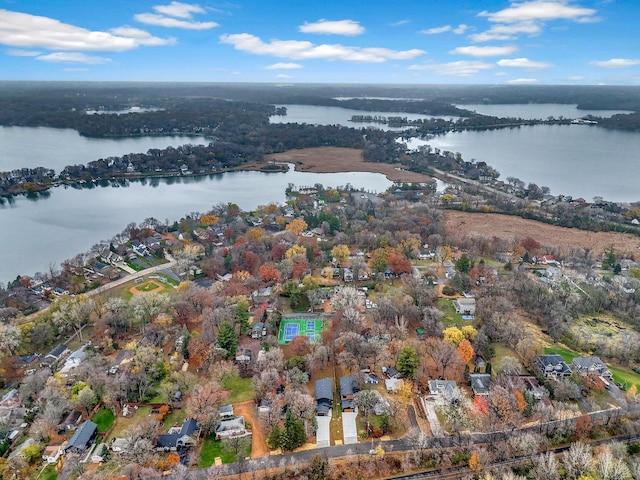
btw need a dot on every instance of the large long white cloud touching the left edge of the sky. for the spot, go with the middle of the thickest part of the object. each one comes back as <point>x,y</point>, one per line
<point>30,31</point>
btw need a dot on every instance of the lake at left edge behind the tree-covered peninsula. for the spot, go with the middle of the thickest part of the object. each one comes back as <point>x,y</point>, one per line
<point>58,147</point>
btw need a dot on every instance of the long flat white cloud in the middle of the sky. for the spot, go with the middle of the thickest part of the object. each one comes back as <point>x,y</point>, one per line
<point>302,50</point>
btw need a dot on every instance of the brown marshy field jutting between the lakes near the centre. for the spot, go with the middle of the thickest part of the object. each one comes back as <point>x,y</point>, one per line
<point>337,159</point>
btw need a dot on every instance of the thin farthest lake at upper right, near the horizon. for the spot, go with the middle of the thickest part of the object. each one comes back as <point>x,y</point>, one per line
<point>531,111</point>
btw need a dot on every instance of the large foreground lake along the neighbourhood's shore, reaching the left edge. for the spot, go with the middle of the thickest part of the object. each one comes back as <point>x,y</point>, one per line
<point>37,233</point>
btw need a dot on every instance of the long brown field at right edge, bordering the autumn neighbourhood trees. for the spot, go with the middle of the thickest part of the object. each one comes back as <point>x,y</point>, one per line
<point>511,227</point>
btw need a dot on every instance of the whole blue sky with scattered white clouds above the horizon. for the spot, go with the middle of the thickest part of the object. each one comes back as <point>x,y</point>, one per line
<point>329,41</point>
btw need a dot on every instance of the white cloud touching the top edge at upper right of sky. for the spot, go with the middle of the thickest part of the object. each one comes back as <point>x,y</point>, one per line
<point>542,10</point>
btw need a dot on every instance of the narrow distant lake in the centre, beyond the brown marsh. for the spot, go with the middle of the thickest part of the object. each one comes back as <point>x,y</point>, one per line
<point>320,115</point>
